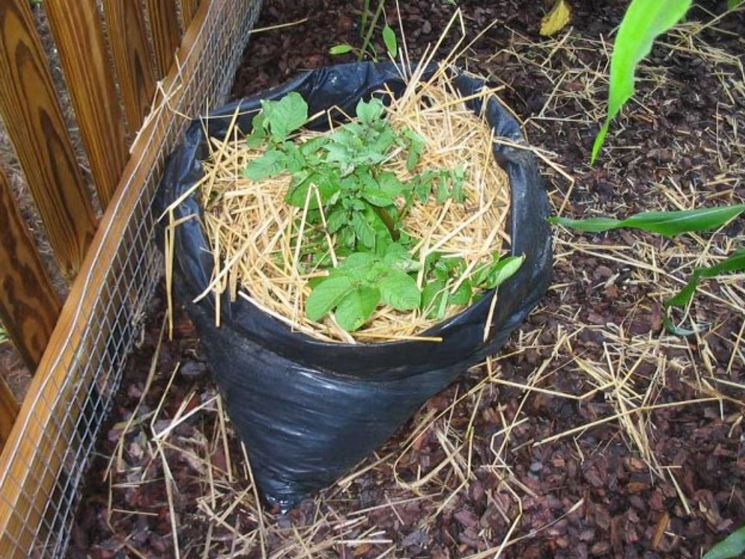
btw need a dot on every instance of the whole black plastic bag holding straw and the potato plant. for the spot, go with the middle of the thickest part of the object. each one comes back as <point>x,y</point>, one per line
<point>309,410</point>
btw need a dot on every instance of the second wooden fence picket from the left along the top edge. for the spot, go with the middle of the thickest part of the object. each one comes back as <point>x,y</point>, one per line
<point>78,35</point>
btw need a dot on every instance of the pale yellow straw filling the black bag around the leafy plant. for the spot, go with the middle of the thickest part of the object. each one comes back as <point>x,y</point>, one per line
<point>254,233</point>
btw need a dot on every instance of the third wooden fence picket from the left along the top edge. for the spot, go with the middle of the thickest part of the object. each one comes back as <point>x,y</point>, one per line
<point>134,68</point>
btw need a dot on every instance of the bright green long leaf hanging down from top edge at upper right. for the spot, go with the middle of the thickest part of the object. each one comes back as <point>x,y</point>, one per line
<point>643,22</point>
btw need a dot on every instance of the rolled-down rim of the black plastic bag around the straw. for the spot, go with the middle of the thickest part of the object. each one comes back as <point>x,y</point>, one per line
<point>393,360</point>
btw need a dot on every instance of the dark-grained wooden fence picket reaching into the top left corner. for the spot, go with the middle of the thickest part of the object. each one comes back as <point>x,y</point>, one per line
<point>34,122</point>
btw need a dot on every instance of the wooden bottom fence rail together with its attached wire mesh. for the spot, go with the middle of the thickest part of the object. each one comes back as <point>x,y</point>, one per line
<point>43,468</point>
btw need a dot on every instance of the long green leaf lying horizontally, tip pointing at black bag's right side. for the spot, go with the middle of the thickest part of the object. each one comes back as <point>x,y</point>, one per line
<point>668,224</point>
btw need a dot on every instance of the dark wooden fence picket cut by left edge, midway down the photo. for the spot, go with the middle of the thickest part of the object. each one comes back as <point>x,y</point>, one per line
<point>29,306</point>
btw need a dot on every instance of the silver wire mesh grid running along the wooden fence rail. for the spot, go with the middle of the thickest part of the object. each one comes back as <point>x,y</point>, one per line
<point>83,400</point>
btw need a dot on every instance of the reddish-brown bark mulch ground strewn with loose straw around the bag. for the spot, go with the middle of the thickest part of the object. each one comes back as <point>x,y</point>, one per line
<point>590,494</point>
